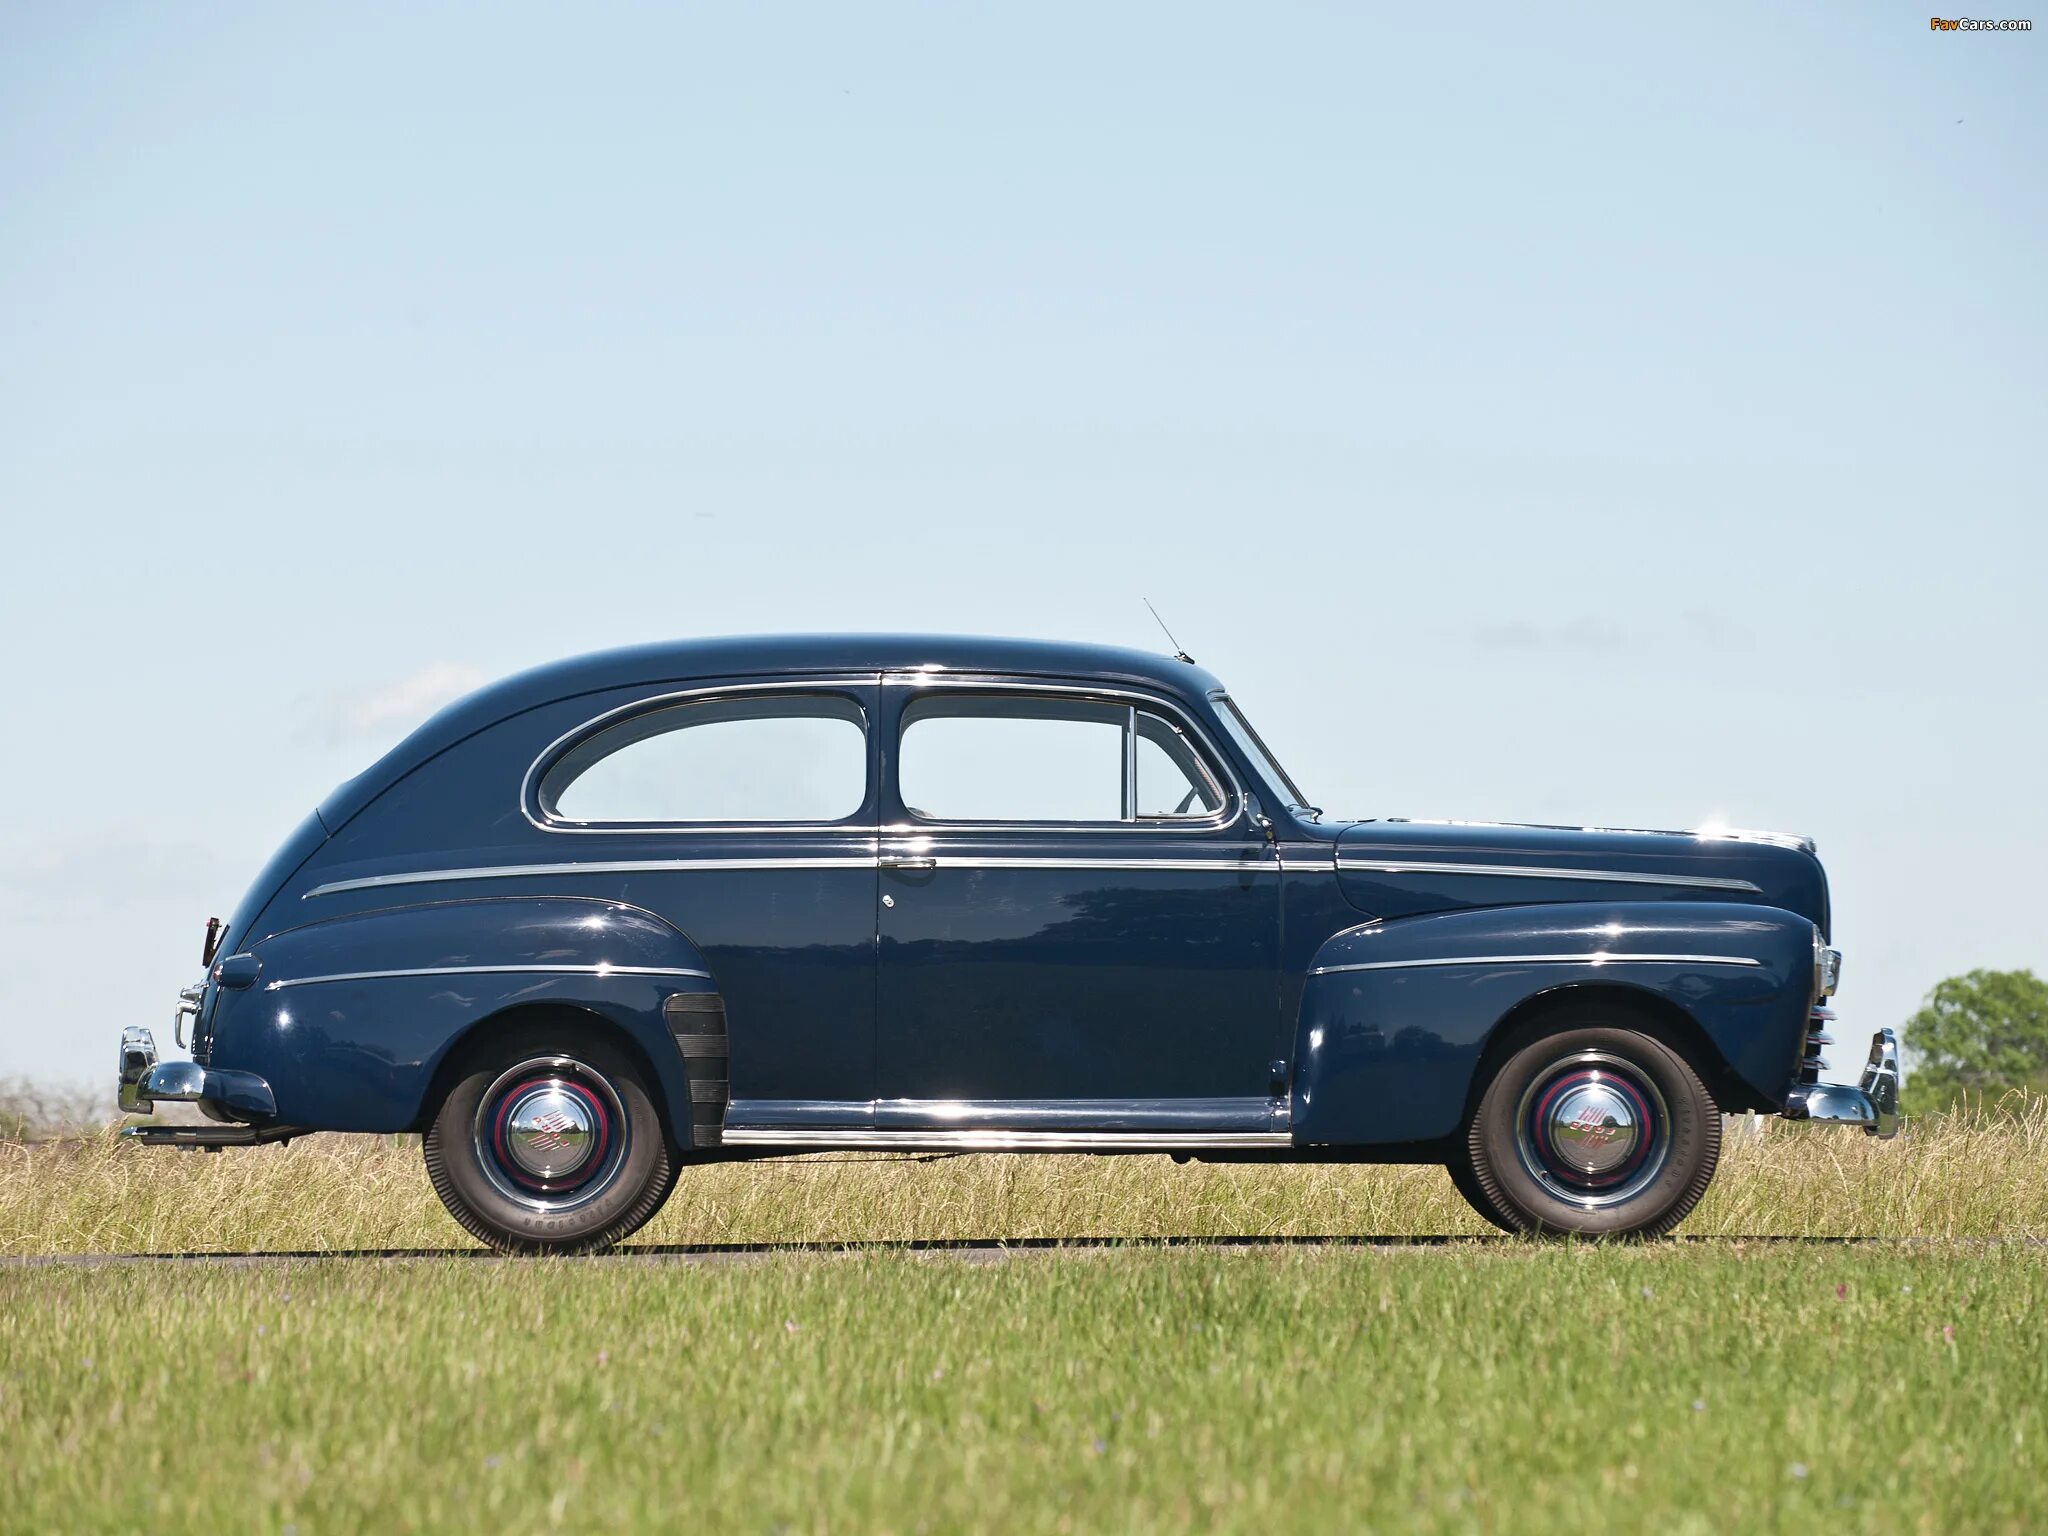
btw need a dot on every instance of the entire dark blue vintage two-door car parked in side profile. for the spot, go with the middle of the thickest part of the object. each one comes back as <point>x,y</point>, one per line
<point>755,898</point>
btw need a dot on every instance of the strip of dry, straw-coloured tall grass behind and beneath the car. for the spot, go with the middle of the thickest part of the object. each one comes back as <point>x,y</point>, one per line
<point>1951,1177</point>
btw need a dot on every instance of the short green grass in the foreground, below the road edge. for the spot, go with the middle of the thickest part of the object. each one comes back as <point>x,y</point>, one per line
<point>1695,1388</point>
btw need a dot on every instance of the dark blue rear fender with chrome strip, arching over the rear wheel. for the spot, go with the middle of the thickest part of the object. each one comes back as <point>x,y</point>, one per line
<point>351,1017</point>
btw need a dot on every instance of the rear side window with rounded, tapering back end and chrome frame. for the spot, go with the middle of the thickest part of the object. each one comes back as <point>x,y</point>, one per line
<point>757,759</point>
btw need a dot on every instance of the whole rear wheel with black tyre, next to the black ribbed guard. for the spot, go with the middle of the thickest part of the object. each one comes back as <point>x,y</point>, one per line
<point>550,1144</point>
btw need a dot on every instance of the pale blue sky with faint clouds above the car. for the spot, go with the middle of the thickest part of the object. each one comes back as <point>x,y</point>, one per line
<point>1582,417</point>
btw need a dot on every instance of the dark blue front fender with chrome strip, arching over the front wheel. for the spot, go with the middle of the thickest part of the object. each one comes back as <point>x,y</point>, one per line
<point>1396,1017</point>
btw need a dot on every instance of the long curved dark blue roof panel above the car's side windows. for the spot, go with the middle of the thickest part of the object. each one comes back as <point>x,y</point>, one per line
<point>746,656</point>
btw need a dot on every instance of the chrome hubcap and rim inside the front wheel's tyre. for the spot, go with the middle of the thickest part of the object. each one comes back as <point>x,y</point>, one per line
<point>1594,1129</point>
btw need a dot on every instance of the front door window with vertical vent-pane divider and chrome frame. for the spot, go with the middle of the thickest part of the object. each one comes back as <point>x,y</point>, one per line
<point>1031,759</point>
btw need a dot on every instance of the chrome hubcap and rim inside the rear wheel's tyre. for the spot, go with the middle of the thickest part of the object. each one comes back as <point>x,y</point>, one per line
<point>550,1134</point>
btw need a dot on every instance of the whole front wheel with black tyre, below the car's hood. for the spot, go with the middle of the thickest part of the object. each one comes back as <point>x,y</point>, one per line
<point>1594,1132</point>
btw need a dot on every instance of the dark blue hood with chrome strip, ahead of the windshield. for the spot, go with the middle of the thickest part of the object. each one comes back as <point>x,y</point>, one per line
<point>1396,869</point>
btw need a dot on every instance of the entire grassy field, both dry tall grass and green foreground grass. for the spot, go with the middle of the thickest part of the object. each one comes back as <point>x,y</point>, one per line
<point>1756,1377</point>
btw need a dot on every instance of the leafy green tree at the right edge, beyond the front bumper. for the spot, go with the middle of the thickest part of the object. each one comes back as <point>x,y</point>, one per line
<point>1983,1035</point>
